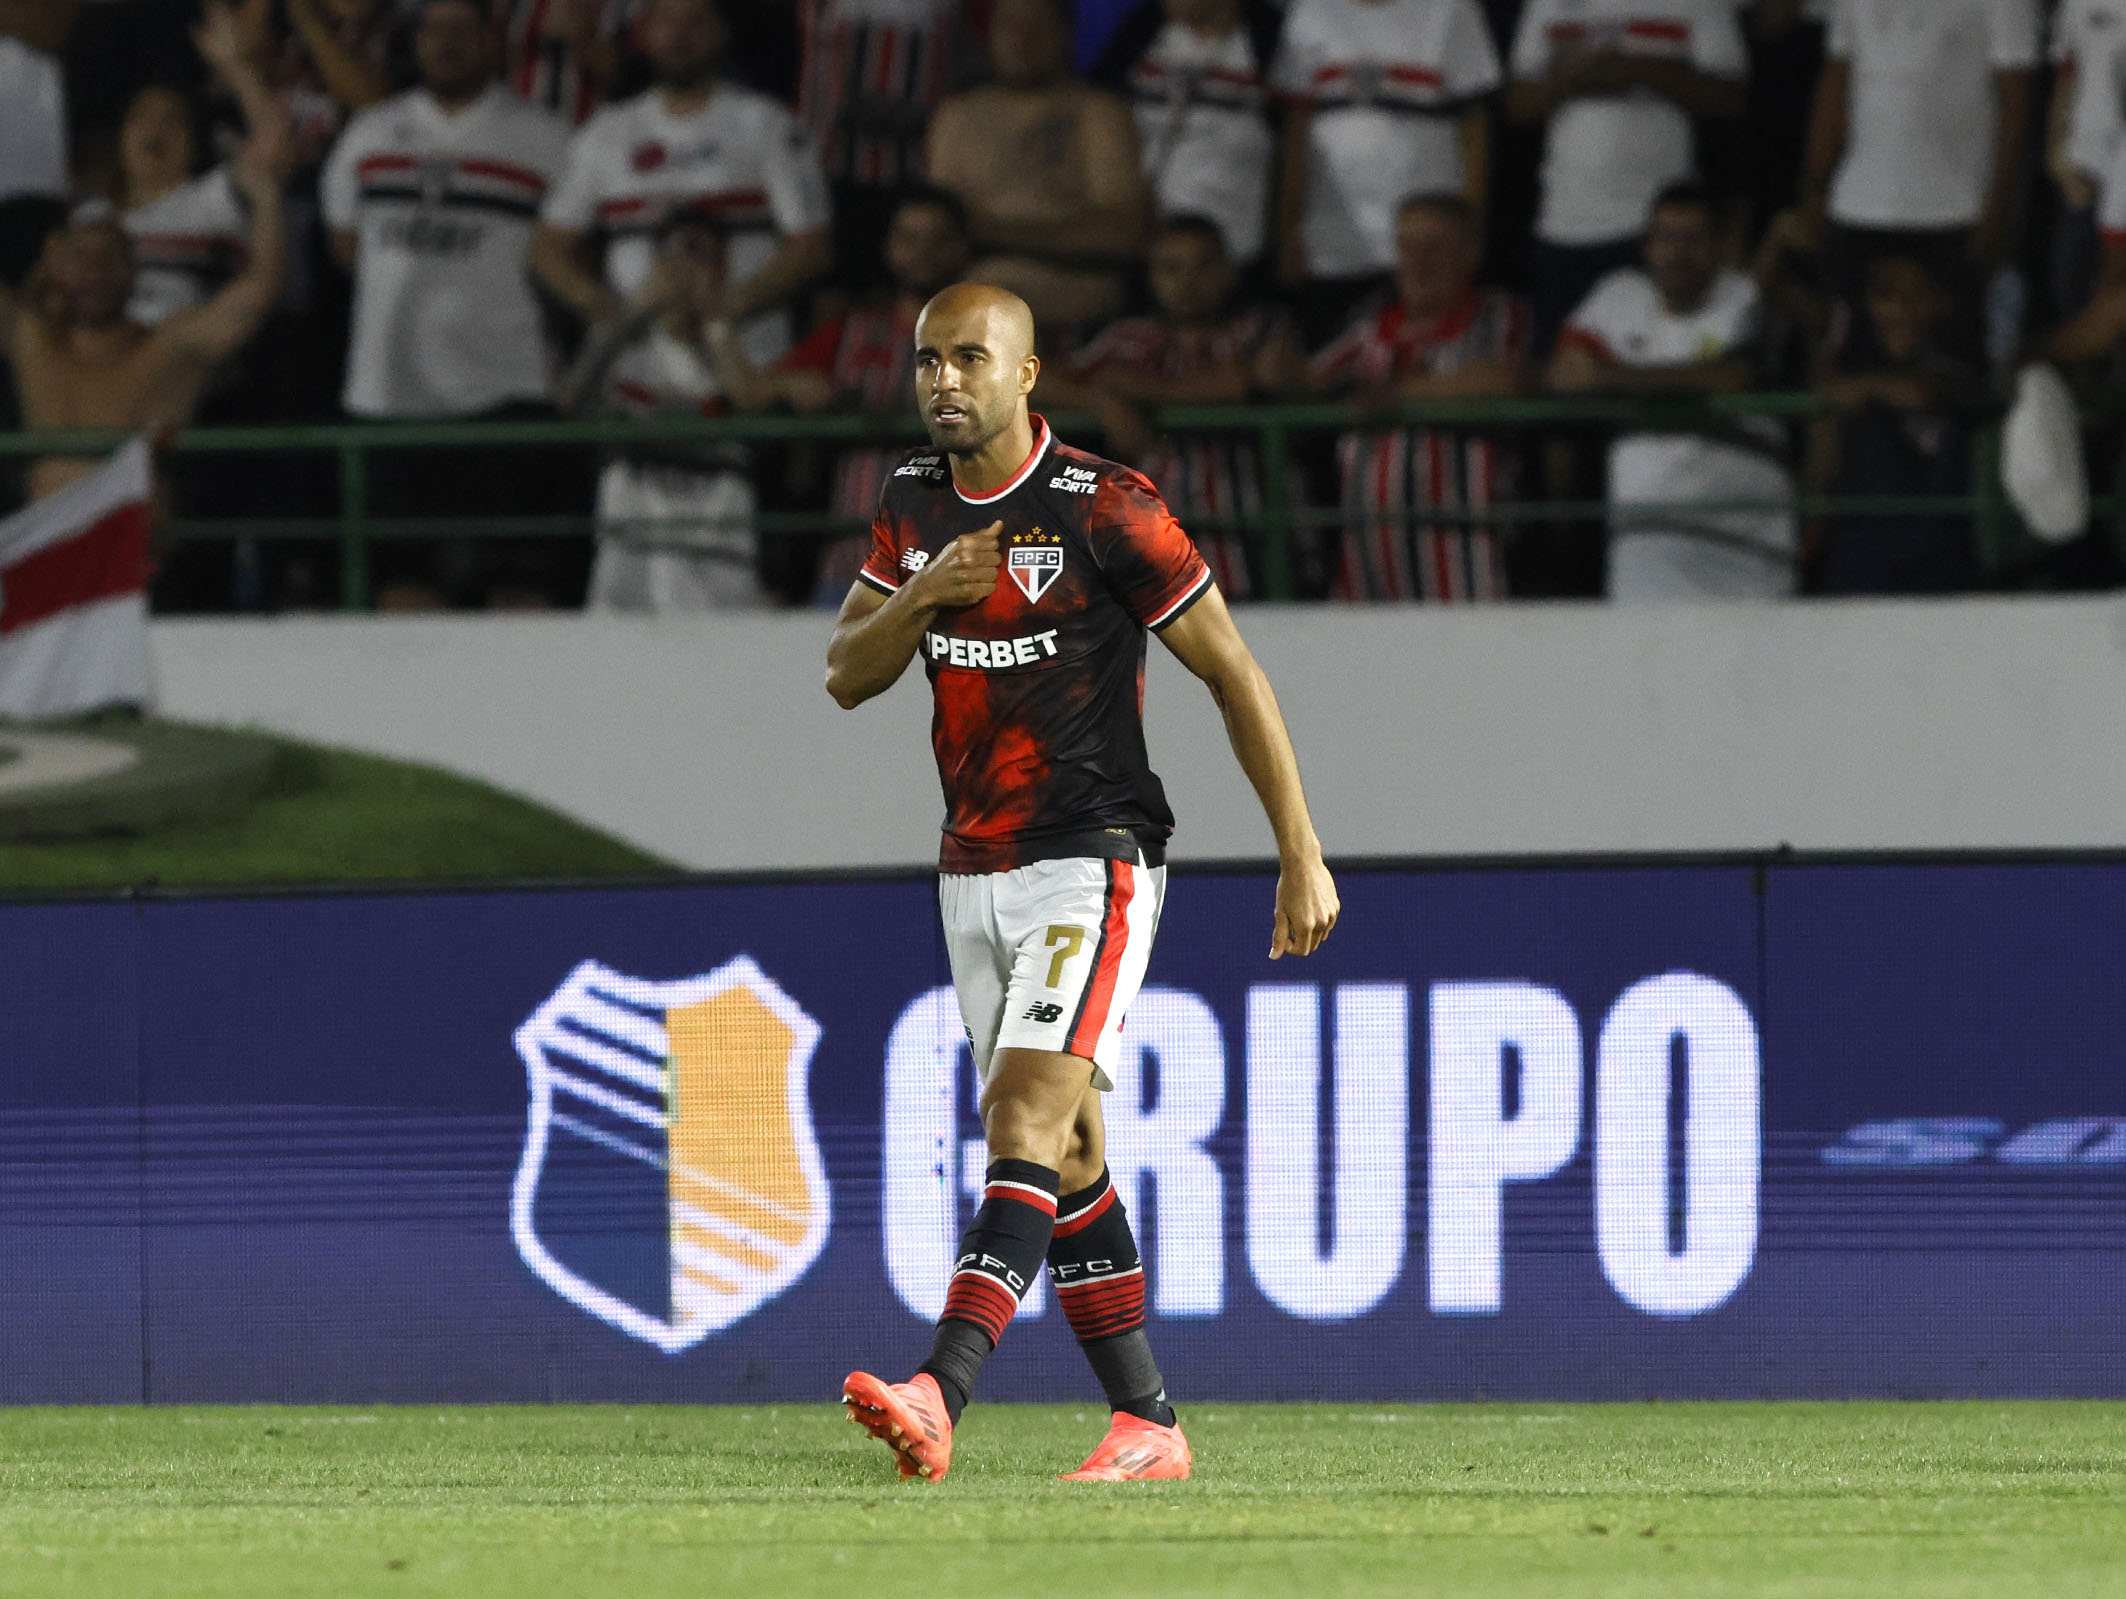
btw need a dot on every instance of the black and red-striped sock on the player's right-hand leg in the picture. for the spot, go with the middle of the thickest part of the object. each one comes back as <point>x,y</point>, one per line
<point>1098,1275</point>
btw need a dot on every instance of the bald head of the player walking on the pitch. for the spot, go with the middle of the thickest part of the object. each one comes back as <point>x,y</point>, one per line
<point>975,365</point>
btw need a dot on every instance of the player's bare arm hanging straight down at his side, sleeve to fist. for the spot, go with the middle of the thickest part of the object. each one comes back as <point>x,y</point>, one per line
<point>1207,641</point>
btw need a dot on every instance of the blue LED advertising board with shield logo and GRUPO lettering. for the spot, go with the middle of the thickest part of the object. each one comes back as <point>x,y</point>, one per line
<point>1576,1132</point>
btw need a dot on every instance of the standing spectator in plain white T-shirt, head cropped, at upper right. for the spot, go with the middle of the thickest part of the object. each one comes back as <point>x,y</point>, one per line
<point>1921,139</point>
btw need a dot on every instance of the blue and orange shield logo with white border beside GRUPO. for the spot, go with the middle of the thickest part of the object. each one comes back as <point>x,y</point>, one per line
<point>671,1181</point>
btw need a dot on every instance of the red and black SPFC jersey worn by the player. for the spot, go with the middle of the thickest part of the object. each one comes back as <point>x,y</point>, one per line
<point>1041,690</point>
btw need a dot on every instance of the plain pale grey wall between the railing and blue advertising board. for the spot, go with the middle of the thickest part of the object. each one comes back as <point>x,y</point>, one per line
<point>1974,724</point>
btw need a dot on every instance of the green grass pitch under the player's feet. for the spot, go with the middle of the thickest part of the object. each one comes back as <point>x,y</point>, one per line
<point>1289,1500</point>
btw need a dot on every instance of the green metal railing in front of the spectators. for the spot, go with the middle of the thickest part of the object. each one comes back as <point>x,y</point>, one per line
<point>1272,428</point>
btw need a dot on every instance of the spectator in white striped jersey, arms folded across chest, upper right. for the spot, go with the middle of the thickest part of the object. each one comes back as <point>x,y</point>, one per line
<point>1617,86</point>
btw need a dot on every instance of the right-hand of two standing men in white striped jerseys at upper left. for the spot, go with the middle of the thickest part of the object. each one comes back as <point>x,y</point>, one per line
<point>703,146</point>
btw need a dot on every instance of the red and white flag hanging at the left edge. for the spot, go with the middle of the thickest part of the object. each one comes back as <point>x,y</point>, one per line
<point>73,594</point>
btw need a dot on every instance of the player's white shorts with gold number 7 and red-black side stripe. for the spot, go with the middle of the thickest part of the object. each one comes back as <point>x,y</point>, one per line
<point>1051,956</point>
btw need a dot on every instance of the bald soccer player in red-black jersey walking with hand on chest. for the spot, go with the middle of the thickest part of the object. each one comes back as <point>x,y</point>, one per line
<point>1028,573</point>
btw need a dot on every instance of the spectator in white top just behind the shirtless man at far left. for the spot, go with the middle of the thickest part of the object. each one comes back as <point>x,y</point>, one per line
<point>188,226</point>
